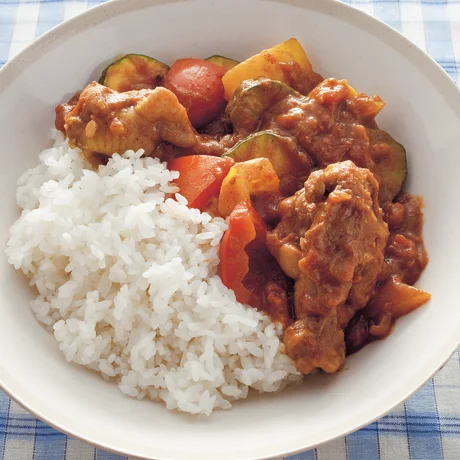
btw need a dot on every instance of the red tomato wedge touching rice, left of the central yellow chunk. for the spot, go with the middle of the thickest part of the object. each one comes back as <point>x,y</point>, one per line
<point>200,177</point>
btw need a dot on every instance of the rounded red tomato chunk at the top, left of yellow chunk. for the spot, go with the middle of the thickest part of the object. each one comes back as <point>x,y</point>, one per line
<point>198,86</point>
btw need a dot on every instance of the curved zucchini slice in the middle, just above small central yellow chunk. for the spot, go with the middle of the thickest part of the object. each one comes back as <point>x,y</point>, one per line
<point>290,163</point>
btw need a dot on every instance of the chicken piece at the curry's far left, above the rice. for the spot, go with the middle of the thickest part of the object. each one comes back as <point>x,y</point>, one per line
<point>105,121</point>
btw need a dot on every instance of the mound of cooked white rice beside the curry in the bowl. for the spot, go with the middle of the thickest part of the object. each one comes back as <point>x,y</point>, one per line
<point>127,281</point>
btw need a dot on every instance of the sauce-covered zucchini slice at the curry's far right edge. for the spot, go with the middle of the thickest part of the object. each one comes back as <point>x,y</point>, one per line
<point>390,160</point>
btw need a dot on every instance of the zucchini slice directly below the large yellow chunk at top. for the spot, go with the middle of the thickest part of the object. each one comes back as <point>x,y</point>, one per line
<point>252,99</point>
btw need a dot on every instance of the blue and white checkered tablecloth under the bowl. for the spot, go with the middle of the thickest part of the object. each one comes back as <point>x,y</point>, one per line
<point>427,426</point>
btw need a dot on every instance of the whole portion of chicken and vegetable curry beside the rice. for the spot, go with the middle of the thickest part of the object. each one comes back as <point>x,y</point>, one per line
<point>320,235</point>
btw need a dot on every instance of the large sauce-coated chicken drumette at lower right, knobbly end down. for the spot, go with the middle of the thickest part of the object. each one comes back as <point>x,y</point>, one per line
<point>331,240</point>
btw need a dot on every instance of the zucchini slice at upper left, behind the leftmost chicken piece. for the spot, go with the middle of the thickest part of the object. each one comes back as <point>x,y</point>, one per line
<point>134,71</point>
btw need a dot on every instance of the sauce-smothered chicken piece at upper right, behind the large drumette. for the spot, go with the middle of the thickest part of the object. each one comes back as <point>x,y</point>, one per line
<point>330,124</point>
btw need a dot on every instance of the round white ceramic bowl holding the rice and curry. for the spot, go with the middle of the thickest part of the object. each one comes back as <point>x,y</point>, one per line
<point>423,112</point>
